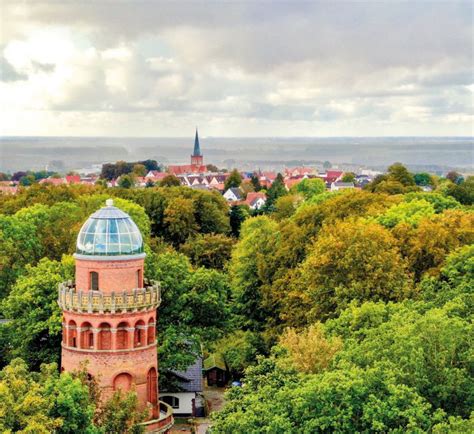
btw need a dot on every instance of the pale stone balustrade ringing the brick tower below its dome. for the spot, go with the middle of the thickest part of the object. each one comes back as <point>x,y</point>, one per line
<point>117,301</point>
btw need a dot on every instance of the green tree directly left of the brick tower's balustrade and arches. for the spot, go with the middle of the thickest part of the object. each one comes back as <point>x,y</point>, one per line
<point>34,329</point>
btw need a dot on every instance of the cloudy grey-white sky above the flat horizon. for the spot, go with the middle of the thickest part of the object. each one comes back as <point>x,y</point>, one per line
<point>236,69</point>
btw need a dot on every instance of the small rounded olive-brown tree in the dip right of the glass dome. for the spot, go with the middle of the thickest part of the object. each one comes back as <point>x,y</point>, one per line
<point>208,250</point>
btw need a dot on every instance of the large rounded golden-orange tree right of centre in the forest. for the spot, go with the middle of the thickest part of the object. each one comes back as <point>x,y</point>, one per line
<point>352,260</point>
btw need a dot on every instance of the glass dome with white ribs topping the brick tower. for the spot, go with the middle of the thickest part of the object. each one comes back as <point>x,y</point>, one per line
<point>109,232</point>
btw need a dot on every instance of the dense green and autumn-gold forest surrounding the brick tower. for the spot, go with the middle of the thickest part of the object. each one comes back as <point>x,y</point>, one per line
<point>345,311</point>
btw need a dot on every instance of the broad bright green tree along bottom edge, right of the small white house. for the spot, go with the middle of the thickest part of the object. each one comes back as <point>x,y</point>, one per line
<point>276,399</point>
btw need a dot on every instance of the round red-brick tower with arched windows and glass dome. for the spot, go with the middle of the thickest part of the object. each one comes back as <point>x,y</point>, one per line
<point>109,313</point>
